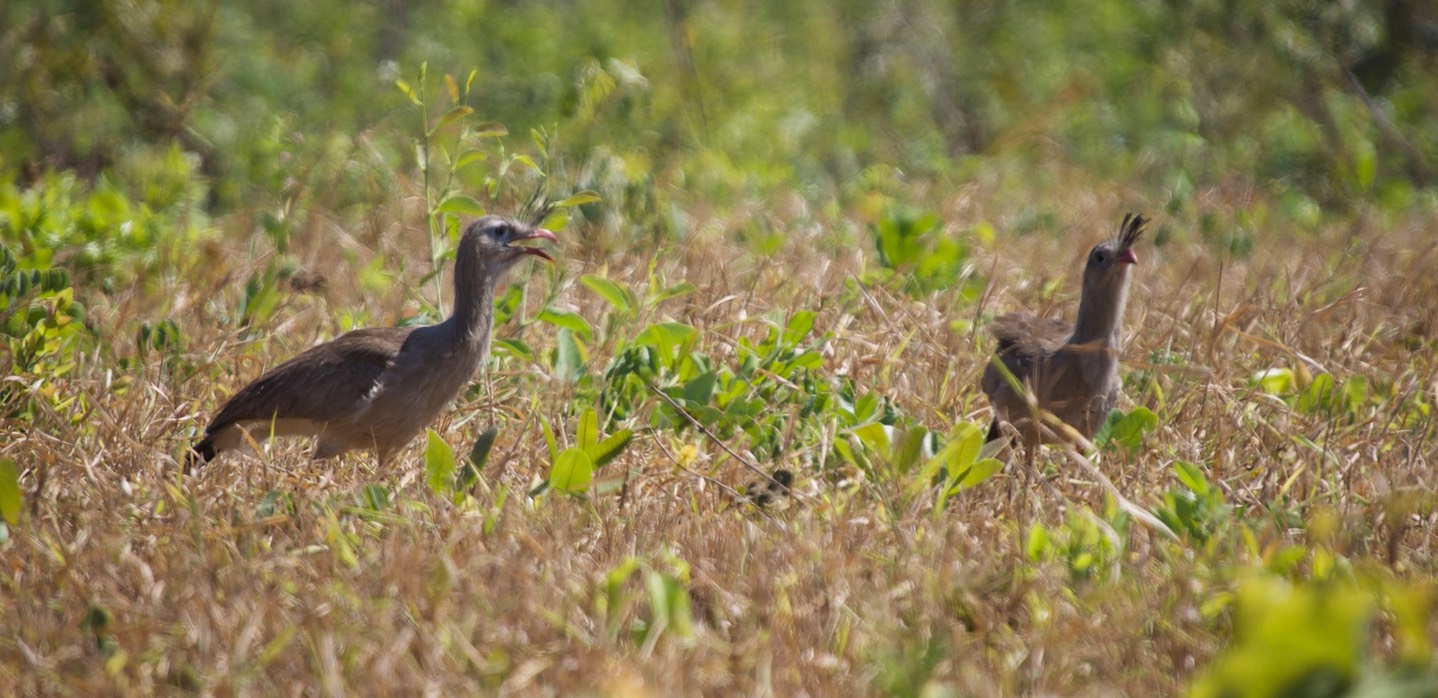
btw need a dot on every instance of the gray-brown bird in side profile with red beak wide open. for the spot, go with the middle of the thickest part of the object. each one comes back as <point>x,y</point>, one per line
<point>377,388</point>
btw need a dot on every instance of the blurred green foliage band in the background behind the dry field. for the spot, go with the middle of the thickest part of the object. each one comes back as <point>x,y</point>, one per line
<point>1331,101</point>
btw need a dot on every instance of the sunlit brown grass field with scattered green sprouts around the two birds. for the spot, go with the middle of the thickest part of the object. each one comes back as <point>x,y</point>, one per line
<point>275,575</point>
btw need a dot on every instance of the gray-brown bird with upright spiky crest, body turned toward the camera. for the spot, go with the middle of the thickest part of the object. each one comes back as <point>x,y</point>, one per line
<point>1072,371</point>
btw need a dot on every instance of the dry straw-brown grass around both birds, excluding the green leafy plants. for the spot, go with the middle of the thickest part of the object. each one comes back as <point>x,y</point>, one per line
<point>203,586</point>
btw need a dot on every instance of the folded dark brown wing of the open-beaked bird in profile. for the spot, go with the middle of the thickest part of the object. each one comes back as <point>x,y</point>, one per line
<point>324,384</point>
